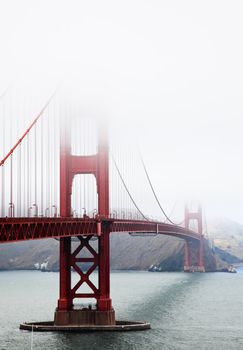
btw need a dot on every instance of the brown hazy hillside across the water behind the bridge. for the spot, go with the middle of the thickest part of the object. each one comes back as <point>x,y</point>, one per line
<point>127,252</point>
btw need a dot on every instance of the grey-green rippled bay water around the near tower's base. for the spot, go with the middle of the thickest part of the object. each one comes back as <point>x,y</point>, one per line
<point>186,311</point>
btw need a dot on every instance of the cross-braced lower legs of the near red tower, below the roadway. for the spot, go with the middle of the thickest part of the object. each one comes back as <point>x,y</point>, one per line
<point>102,312</point>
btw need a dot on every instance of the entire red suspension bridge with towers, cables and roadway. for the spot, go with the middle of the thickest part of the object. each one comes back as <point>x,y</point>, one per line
<point>61,179</point>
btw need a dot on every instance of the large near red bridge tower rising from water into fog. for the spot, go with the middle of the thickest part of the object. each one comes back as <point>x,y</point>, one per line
<point>71,165</point>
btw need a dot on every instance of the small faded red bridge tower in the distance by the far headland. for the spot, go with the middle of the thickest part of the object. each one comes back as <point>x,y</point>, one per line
<point>194,249</point>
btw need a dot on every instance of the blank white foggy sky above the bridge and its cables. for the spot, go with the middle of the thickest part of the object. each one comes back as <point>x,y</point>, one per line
<point>169,73</point>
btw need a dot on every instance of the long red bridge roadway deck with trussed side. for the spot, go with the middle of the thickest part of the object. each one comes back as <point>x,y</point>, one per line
<point>22,229</point>
